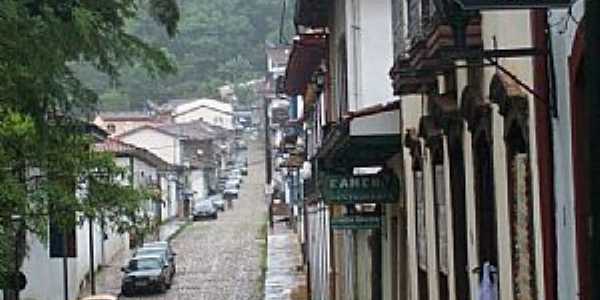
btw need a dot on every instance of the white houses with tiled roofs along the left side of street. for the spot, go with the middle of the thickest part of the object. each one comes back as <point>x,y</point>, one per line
<point>177,151</point>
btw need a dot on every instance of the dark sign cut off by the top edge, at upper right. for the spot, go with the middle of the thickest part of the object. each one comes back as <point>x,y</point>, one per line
<point>513,4</point>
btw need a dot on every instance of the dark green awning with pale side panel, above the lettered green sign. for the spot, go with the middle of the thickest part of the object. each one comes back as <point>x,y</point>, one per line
<point>365,138</point>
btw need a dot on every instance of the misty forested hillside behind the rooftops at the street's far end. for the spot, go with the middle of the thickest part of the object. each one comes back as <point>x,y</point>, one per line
<point>218,42</point>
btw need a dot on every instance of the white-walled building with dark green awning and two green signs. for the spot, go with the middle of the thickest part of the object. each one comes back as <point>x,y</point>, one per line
<point>338,67</point>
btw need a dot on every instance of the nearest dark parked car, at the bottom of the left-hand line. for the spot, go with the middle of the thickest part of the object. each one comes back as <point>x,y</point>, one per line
<point>144,273</point>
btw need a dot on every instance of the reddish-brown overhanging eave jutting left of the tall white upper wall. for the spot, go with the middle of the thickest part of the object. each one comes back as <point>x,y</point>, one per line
<point>304,60</point>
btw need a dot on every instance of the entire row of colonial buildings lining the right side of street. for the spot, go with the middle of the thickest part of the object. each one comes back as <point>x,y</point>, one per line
<point>445,147</point>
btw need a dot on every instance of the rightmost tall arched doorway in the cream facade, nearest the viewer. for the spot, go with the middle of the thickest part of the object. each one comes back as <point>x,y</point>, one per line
<point>514,107</point>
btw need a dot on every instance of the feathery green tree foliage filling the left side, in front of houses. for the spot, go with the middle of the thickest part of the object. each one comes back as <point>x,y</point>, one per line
<point>45,155</point>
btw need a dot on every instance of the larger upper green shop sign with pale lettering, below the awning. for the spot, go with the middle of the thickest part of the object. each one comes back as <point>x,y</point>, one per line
<point>351,189</point>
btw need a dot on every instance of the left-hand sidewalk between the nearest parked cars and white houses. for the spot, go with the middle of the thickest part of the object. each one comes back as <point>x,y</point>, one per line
<point>108,278</point>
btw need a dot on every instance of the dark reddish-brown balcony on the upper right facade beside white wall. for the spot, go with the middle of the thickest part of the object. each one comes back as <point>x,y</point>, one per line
<point>435,30</point>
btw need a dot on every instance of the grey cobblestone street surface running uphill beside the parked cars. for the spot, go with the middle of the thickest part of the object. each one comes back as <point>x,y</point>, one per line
<point>218,259</point>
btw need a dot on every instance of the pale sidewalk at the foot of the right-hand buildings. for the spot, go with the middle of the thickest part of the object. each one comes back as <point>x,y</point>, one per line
<point>283,281</point>
